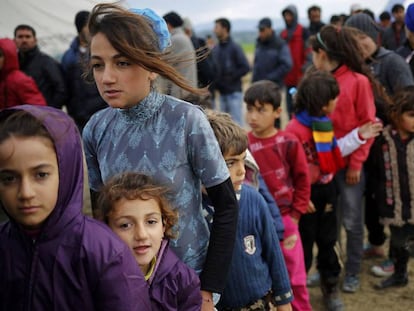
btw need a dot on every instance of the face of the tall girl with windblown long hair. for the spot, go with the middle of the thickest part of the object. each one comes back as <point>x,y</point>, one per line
<point>121,83</point>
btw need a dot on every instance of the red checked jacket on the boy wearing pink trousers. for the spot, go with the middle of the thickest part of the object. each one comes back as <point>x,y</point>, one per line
<point>282,163</point>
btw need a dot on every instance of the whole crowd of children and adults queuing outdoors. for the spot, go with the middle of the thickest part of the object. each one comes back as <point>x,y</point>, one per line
<point>197,206</point>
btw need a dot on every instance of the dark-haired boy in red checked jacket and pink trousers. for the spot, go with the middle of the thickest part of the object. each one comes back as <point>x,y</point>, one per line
<point>282,163</point>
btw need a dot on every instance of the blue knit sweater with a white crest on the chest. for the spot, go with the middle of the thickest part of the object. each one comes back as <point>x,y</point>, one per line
<point>257,264</point>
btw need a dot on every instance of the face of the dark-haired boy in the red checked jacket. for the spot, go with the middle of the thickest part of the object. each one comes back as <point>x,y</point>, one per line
<point>261,119</point>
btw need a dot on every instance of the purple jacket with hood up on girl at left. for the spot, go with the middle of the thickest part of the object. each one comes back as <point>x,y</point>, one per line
<point>75,263</point>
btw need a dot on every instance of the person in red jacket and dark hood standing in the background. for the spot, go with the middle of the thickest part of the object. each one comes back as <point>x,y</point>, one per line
<point>296,36</point>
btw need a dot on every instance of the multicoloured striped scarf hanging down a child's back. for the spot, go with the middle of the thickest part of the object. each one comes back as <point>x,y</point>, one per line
<point>329,154</point>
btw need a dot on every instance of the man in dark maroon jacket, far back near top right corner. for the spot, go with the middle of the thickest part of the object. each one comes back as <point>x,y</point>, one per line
<point>394,36</point>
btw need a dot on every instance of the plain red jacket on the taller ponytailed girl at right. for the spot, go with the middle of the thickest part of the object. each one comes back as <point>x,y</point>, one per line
<point>355,107</point>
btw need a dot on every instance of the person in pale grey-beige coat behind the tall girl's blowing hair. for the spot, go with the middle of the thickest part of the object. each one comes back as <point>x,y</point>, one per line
<point>181,47</point>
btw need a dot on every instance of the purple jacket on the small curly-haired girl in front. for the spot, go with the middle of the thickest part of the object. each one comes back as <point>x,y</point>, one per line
<point>173,285</point>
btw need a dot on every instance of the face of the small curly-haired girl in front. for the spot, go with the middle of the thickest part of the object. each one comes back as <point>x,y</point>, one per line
<point>139,224</point>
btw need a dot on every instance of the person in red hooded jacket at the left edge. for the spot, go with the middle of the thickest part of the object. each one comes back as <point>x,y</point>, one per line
<point>16,88</point>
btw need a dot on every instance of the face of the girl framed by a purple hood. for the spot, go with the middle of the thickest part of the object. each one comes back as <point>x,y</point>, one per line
<point>29,179</point>
